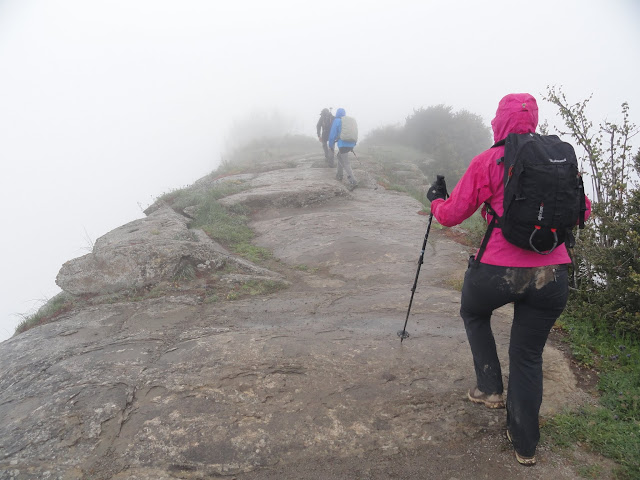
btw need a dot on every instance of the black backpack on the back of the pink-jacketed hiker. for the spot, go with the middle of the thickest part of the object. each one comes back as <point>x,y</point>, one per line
<point>543,193</point>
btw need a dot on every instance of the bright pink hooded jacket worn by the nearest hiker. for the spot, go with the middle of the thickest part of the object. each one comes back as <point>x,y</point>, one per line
<point>483,182</point>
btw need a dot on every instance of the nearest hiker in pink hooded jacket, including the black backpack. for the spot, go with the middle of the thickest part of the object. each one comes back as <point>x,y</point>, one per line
<point>502,273</point>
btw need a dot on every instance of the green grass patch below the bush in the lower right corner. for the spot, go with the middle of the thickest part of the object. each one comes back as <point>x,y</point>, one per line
<point>612,428</point>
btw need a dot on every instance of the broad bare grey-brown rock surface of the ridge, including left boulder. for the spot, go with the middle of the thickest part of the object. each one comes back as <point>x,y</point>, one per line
<point>307,383</point>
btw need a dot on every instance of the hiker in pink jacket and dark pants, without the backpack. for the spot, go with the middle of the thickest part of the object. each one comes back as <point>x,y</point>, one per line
<point>536,284</point>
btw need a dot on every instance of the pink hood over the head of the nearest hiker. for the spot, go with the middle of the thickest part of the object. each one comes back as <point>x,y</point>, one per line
<point>517,113</point>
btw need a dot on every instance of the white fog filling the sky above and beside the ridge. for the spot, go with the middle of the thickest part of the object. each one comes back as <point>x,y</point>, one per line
<point>106,104</point>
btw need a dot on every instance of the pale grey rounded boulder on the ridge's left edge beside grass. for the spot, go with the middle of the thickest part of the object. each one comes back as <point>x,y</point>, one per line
<point>145,252</point>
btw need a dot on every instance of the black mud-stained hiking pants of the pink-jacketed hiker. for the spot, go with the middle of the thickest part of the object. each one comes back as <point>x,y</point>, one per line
<point>539,295</point>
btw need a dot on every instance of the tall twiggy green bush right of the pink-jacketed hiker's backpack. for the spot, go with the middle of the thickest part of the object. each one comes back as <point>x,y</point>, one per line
<point>608,254</point>
